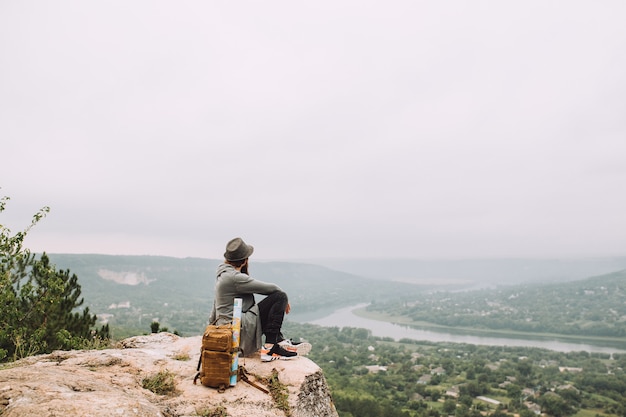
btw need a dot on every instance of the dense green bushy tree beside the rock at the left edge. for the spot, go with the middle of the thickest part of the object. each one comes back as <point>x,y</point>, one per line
<point>39,303</point>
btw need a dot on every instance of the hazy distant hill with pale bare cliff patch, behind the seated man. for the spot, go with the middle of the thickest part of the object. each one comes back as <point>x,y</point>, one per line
<point>129,292</point>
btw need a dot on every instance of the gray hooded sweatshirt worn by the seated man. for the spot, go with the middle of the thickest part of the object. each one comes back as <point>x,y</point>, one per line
<point>229,285</point>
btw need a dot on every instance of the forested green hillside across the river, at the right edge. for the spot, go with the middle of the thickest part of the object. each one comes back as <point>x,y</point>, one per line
<point>593,307</point>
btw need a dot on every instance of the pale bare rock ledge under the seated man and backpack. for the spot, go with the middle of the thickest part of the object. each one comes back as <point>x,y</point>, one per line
<point>109,383</point>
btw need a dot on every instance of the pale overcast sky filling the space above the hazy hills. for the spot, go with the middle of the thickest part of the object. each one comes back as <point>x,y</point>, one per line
<point>367,129</point>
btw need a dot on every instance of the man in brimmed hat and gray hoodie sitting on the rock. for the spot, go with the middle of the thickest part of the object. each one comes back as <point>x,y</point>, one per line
<point>266,317</point>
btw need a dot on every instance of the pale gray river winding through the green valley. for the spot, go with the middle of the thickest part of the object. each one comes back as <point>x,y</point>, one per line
<point>345,317</point>
